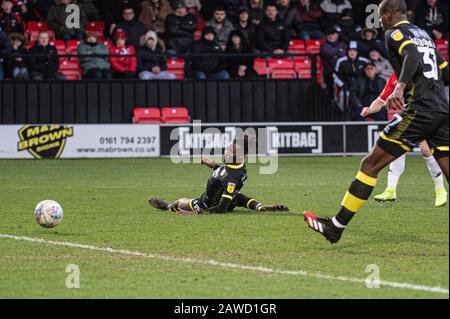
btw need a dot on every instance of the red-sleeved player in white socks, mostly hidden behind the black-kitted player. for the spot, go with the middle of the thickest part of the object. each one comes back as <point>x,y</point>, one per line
<point>397,167</point>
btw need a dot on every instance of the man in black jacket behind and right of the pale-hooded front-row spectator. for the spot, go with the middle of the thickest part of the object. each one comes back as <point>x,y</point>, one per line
<point>180,29</point>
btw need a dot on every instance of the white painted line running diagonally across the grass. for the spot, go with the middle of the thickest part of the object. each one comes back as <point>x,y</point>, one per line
<point>211,262</point>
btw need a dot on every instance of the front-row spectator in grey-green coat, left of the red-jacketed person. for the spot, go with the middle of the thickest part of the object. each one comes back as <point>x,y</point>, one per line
<point>95,68</point>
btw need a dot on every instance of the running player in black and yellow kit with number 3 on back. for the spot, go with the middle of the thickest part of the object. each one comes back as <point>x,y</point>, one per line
<point>422,76</point>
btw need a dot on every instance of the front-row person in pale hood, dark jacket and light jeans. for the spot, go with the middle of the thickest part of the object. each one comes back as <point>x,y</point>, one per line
<point>151,63</point>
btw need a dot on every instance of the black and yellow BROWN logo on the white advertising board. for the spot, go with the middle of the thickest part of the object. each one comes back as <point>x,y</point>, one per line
<point>44,141</point>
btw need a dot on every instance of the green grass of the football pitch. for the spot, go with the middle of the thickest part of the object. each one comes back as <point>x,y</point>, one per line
<point>105,204</point>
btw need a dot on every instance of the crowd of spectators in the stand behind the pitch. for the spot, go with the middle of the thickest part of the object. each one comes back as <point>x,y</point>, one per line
<point>145,32</point>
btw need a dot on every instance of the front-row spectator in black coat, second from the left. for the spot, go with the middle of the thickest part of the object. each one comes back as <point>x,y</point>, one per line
<point>43,63</point>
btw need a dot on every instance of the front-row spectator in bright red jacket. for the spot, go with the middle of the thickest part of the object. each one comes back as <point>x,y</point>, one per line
<point>125,65</point>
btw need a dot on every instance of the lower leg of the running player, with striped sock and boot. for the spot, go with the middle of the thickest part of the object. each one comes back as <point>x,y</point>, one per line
<point>358,193</point>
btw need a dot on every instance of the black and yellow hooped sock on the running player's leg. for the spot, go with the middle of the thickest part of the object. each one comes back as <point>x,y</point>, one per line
<point>356,196</point>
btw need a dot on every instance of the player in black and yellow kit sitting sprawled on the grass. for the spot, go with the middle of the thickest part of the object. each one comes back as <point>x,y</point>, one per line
<point>223,189</point>
